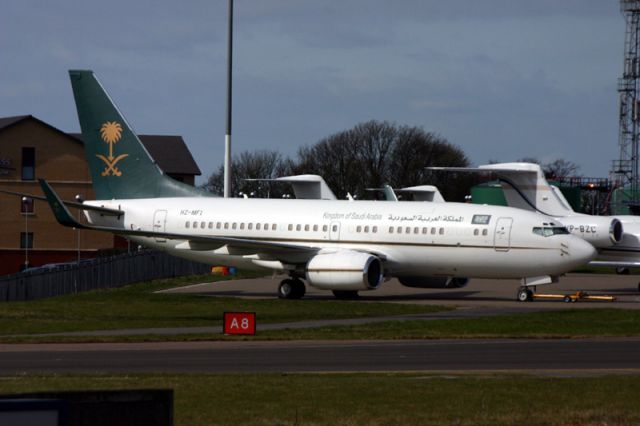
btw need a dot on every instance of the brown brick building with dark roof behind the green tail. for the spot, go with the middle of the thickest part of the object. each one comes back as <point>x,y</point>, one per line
<point>32,149</point>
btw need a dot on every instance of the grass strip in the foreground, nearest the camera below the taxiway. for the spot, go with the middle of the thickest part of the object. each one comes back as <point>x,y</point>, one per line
<point>373,399</point>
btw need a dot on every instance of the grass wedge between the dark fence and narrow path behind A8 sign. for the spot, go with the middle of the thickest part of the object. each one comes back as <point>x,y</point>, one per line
<point>137,306</point>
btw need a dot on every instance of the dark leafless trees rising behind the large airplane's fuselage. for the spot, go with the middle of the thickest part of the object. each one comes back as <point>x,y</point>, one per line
<point>370,154</point>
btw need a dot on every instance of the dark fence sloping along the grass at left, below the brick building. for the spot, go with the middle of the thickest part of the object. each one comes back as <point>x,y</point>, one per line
<point>93,274</point>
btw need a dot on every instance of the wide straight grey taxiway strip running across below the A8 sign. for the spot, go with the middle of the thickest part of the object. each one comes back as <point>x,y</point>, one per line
<point>526,355</point>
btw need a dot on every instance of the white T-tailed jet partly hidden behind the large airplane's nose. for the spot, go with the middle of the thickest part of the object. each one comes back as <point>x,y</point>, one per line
<point>617,238</point>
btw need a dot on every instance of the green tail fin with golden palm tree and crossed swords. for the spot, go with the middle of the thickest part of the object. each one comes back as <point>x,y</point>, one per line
<point>121,167</point>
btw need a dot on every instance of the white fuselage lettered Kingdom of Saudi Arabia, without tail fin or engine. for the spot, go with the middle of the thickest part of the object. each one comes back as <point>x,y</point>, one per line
<point>411,238</point>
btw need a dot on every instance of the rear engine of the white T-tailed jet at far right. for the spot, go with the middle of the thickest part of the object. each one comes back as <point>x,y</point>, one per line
<point>600,231</point>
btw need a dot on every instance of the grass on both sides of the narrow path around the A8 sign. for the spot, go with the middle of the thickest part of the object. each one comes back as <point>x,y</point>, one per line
<point>137,306</point>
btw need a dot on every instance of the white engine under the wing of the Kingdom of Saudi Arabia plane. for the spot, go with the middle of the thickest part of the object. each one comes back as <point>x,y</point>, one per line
<point>344,270</point>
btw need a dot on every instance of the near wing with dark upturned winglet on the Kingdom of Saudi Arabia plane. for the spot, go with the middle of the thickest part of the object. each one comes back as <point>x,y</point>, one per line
<point>194,242</point>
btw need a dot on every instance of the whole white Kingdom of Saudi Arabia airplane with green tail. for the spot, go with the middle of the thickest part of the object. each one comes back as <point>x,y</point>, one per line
<point>332,244</point>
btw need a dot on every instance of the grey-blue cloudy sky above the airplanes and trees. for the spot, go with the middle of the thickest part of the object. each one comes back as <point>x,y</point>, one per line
<point>502,79</point>
